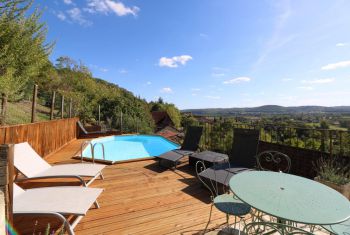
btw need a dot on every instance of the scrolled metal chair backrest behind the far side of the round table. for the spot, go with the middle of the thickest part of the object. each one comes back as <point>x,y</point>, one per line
<point>273,161</point>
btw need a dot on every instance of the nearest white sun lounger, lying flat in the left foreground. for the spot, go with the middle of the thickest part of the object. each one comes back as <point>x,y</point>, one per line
<point>55,201</point>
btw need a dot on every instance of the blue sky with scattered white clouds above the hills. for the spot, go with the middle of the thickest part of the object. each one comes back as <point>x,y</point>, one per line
<point>217,53</point>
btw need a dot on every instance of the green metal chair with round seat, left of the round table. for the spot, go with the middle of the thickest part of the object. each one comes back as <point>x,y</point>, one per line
<point>225,202</point>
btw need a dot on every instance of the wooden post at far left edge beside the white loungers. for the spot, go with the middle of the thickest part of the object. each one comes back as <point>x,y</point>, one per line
<point>6,186</point>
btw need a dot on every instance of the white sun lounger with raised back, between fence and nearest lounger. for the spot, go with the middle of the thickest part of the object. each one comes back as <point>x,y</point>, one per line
<point>32,166</point>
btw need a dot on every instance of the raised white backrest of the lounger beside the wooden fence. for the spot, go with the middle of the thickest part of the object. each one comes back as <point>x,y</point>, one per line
<point>27,161</point>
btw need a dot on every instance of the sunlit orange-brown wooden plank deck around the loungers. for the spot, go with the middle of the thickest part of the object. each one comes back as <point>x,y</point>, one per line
<point>139,198</point>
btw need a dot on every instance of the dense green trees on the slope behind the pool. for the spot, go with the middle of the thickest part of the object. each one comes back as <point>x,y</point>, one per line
<point>75,81</point>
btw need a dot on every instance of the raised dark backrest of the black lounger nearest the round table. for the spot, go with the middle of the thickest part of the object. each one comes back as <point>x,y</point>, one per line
<point>244,147</point>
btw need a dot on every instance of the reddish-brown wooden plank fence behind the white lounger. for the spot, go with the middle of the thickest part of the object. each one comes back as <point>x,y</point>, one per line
<point>44,137</point>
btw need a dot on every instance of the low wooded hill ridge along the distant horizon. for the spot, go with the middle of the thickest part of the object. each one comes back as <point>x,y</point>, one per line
<point>268,109</point>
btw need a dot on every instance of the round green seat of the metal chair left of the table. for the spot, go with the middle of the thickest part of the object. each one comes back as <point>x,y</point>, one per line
<point>230,205</point>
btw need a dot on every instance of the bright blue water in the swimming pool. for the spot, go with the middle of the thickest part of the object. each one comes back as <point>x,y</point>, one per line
<point>129,147</point>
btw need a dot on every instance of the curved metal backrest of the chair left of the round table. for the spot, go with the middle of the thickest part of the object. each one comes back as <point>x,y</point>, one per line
<point>213,174</point>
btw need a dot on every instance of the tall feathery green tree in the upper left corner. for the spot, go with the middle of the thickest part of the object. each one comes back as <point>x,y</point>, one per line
<point>23,52</point>
